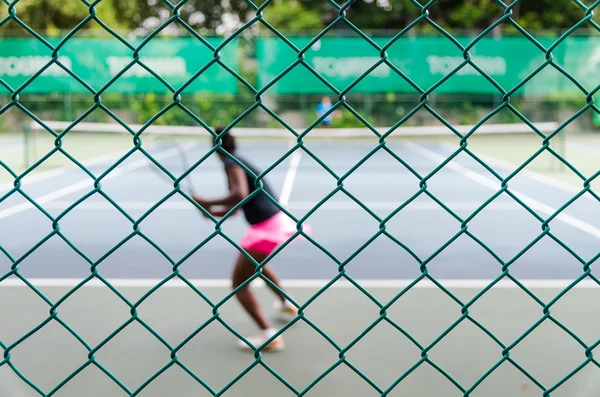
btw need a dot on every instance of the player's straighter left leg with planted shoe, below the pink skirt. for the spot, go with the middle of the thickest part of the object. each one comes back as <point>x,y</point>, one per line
<point>244,269</point>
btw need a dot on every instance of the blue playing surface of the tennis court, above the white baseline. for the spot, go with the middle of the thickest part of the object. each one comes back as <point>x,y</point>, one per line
<point>341,225</point>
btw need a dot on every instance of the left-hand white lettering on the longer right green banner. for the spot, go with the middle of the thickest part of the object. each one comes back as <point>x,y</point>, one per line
<point>348,67</point>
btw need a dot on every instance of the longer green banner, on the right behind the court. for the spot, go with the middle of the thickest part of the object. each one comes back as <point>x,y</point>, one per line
<point>426,61</point>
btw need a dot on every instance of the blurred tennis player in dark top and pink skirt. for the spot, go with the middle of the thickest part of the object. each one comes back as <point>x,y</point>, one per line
<point>269,228</point>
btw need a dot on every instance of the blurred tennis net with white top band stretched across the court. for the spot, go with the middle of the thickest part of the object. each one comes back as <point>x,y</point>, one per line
<point>510,142</point>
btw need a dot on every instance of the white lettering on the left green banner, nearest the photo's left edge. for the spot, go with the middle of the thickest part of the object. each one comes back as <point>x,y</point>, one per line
<point>29,65</point>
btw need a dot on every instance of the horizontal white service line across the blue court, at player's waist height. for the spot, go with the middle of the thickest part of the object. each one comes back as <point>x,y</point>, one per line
<point>335,206</point>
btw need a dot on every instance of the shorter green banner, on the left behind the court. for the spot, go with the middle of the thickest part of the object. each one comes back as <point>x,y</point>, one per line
<point>96,61</point>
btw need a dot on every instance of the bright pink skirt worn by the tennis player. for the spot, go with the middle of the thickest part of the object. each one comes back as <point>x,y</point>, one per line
<point>266,236</point>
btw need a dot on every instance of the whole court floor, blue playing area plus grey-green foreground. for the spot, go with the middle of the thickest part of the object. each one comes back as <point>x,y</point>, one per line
<point>342,227</point>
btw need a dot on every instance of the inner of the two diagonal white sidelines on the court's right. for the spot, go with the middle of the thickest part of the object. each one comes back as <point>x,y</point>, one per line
<point>495,186</point>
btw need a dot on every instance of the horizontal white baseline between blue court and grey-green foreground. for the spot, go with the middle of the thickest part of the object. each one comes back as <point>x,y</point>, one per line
<point>305,284</point>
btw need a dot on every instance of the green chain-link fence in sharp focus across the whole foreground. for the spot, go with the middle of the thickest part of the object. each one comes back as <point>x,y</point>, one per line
<point>137,137</point>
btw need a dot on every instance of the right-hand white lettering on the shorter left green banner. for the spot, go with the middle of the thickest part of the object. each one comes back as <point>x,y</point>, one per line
<point>166,67</point>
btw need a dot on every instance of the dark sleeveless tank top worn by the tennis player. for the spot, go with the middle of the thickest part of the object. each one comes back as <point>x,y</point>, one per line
<point>259,208</point>
